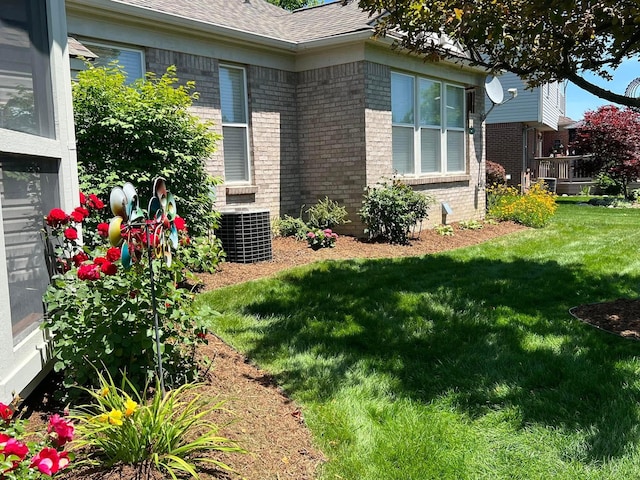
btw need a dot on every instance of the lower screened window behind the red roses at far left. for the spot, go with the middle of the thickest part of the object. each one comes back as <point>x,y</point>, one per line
<point>28,188</point>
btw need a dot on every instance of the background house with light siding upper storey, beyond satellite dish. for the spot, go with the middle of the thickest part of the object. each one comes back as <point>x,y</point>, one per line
<point>529,126</point>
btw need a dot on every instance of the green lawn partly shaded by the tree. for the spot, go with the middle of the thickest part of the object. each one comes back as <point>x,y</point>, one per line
<point>461,365</point>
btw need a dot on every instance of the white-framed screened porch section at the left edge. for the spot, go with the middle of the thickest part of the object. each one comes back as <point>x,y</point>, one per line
<point>37,173</point>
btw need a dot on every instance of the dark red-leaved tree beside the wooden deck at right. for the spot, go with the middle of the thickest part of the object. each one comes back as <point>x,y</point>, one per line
<point>612,138</point>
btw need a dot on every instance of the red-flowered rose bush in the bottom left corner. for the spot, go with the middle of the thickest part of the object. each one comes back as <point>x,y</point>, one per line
<point>31,456</point>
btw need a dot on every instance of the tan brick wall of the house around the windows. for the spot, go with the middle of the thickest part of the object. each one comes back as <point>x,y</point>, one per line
<point>322,132</point>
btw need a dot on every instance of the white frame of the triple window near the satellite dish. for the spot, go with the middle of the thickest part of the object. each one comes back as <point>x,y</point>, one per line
<point>443,128</point>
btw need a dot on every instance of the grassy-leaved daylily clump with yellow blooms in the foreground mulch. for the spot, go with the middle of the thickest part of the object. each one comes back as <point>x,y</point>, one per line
<point>169,431</point>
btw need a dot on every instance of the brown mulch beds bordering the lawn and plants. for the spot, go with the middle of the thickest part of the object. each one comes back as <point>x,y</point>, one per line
<point>259,415</point>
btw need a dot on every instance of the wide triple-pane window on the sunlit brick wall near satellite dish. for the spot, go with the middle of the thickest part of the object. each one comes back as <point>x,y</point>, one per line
<point>428,125</point>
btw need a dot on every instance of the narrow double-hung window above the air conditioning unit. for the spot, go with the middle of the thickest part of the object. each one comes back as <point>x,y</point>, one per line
<point>235,126</point>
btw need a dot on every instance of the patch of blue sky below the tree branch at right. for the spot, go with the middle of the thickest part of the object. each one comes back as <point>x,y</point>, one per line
<point>579,101</point>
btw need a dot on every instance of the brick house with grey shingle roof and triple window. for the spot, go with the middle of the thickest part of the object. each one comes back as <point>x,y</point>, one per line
<point>309,103</point>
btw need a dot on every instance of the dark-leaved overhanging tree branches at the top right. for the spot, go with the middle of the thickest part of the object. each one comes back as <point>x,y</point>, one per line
<point>539,41</point>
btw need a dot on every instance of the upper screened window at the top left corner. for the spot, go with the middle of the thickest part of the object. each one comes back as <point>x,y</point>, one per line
<point>26,101</point>
